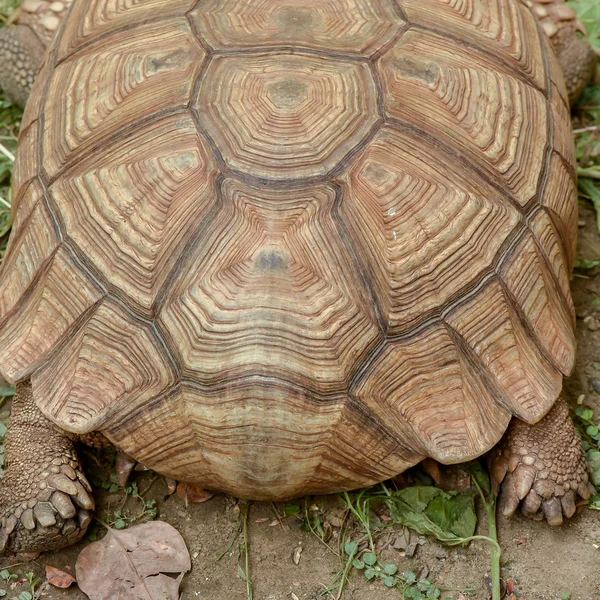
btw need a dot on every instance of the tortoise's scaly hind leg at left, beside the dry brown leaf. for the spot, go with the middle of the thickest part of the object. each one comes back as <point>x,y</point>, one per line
<point>44,496</point>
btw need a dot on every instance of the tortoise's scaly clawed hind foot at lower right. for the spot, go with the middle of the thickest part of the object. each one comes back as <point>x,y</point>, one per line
<point>542,467</point>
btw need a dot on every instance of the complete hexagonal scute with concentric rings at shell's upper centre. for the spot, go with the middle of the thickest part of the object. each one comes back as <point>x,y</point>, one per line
<point>287,116</point>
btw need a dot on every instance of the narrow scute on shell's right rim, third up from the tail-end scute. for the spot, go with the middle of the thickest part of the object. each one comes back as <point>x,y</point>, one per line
<point>529,281</point>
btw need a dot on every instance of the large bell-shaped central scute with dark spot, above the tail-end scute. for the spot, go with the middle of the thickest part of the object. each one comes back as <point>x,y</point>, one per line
<point>272,291</point>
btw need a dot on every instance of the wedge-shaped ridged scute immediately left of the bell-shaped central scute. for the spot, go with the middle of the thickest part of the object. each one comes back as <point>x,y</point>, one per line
<point>131,209</point>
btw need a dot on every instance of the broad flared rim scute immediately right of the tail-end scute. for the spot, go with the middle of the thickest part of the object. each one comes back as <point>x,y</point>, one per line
<point>426,376</point>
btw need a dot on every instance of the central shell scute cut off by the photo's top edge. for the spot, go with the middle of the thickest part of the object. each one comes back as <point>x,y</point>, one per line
<point>350,26</point>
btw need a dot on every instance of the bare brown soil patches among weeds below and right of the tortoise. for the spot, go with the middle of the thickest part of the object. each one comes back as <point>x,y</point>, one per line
<point>546,563</point>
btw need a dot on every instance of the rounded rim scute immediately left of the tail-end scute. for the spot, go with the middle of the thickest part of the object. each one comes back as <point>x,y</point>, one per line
<point>112,359</point>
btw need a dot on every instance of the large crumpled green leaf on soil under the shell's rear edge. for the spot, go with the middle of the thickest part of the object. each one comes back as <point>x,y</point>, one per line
<point>428,510</point>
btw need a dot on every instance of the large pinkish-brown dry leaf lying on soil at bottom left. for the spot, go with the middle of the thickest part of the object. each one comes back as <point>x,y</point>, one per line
<point>130,564</point>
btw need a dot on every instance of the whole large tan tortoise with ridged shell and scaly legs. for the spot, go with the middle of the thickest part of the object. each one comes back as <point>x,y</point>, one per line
<point>279,248</point>
